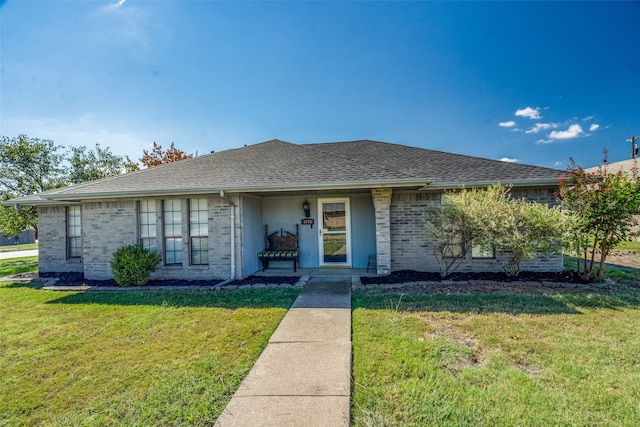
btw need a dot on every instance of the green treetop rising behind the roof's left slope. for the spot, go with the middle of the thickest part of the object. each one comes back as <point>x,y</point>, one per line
<point>89,165</point>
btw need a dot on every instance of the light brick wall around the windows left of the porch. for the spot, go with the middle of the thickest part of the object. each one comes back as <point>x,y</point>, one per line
<point>109,225</point>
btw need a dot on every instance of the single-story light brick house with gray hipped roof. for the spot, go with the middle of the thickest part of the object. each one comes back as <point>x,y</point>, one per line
<point>207,215</point>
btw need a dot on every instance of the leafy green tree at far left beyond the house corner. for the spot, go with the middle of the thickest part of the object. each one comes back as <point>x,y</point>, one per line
<point>27,166</point>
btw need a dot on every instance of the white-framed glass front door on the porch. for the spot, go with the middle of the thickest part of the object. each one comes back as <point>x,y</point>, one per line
<point>335,237</point>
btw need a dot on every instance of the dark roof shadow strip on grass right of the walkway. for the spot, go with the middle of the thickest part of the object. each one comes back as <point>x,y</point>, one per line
<point>522,303</point>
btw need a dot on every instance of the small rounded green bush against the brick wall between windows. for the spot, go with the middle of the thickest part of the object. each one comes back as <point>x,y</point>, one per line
<point>132,265</point>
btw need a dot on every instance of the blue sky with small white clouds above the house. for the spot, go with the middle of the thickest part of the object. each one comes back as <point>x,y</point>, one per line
<point>532,82</point>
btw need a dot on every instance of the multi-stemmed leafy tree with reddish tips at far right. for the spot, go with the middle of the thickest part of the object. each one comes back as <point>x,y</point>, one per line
<point>602,205</point>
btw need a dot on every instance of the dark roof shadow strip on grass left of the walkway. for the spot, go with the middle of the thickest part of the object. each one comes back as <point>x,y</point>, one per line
<point>250,298</point>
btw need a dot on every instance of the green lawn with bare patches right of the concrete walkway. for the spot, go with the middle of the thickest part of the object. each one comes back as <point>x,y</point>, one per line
<point>496,360</point>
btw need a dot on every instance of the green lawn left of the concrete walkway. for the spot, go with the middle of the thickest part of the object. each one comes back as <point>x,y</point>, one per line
<point>128,358</point>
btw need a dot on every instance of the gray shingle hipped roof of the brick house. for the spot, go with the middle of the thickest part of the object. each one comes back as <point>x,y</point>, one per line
<point>277,165</point>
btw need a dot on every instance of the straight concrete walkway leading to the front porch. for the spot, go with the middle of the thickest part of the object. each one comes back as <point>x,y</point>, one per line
<point>303,377</point>
